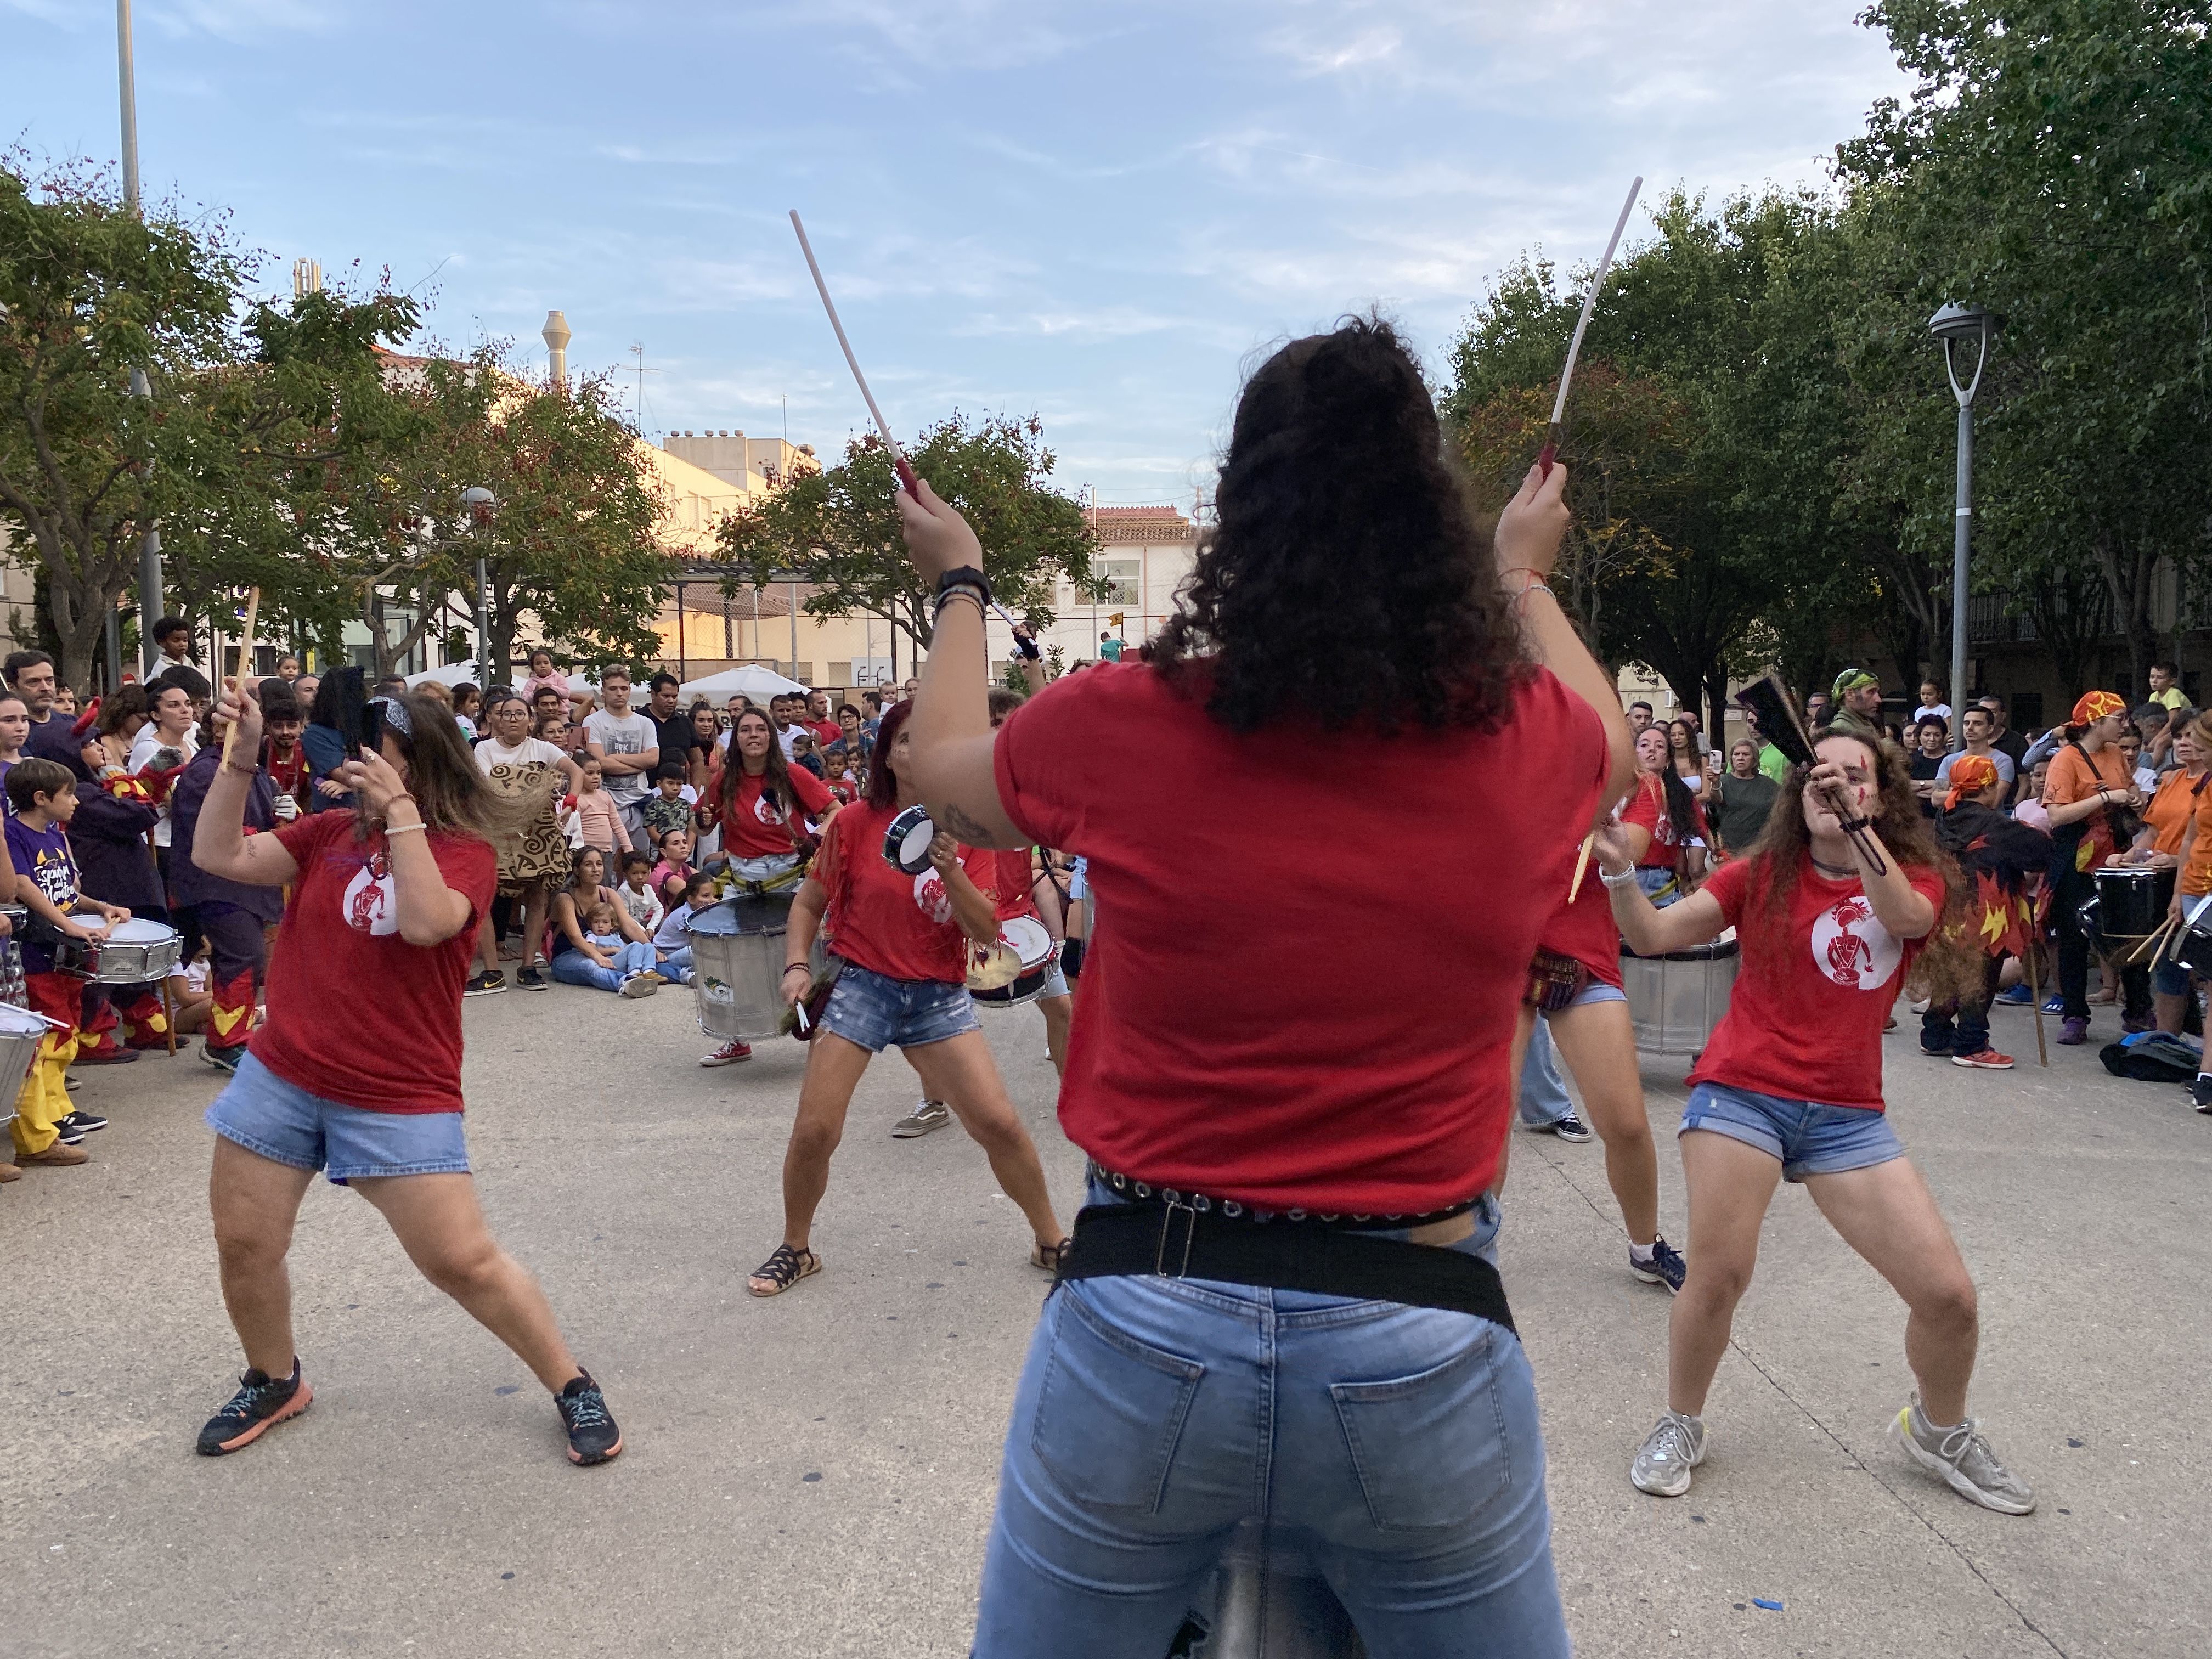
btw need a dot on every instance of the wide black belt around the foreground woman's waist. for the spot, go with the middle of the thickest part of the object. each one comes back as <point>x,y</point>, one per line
<point>1180,1242</point>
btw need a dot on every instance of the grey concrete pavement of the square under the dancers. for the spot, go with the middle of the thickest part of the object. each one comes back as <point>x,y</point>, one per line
<point>815,1474</point>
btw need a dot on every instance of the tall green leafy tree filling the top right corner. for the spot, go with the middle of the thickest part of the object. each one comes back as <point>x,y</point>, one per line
<point>2054,167</point>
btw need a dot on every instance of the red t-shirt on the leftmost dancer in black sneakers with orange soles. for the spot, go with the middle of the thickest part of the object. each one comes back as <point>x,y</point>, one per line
<point>357,1014</point>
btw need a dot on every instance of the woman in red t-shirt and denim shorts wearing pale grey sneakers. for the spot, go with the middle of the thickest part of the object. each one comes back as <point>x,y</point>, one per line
<point>1844,893</point>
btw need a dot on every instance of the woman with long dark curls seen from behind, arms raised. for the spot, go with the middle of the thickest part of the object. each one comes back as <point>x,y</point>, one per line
<point>1293,1067</point>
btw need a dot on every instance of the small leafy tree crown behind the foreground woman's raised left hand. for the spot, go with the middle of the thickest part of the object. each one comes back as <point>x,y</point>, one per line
<point>839,534</point>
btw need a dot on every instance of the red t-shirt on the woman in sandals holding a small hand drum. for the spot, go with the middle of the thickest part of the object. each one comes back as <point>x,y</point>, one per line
<point>884,919</point>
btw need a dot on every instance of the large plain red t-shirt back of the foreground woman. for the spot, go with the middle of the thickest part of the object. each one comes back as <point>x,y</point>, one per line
<point>1302,981</point>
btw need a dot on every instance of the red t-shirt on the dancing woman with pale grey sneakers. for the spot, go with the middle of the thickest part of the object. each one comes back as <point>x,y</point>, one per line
<point>1813,988</point>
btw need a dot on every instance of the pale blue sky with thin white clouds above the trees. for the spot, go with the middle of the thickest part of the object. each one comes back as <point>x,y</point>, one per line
<point>1100,213</point>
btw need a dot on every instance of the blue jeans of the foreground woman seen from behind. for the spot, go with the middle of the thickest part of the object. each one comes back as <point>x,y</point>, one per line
<point>1397,1446</point>
